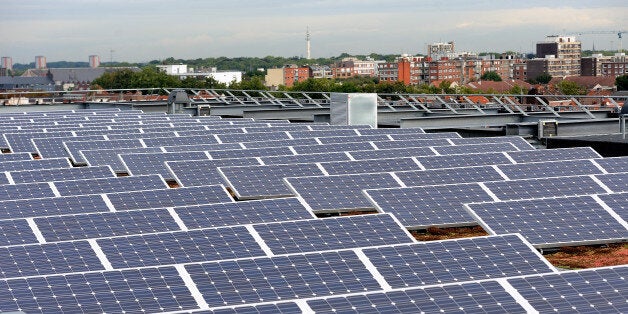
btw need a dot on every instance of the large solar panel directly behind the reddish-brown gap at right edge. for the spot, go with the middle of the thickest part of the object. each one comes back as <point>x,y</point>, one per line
<point>551,222</point>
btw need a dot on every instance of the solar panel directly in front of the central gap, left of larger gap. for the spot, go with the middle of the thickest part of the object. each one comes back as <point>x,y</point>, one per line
<point>332,234</point>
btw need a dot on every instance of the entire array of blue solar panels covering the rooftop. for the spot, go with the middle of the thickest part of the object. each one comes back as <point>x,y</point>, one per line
<point>125,211</point>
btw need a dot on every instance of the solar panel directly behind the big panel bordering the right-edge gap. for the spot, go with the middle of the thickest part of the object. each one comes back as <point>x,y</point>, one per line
<point>544,187</point>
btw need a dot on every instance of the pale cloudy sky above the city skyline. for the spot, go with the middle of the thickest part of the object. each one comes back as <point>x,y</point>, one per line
<point>145,30</point>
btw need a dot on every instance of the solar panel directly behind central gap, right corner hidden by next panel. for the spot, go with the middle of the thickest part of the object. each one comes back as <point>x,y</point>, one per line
<point>339,193</point>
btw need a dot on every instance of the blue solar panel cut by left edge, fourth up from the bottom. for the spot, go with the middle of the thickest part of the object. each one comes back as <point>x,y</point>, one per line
<point>51,206</point>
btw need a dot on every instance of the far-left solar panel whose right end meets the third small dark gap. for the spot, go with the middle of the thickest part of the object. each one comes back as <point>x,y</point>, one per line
<point>44,175</point>
